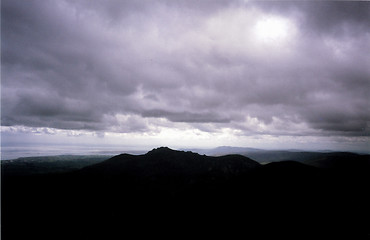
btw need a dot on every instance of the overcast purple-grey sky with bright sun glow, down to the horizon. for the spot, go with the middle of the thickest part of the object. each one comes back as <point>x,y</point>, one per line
<point>264,74</point>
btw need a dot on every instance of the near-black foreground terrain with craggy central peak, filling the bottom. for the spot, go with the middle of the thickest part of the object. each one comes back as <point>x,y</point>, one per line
<point>174,194</point>
